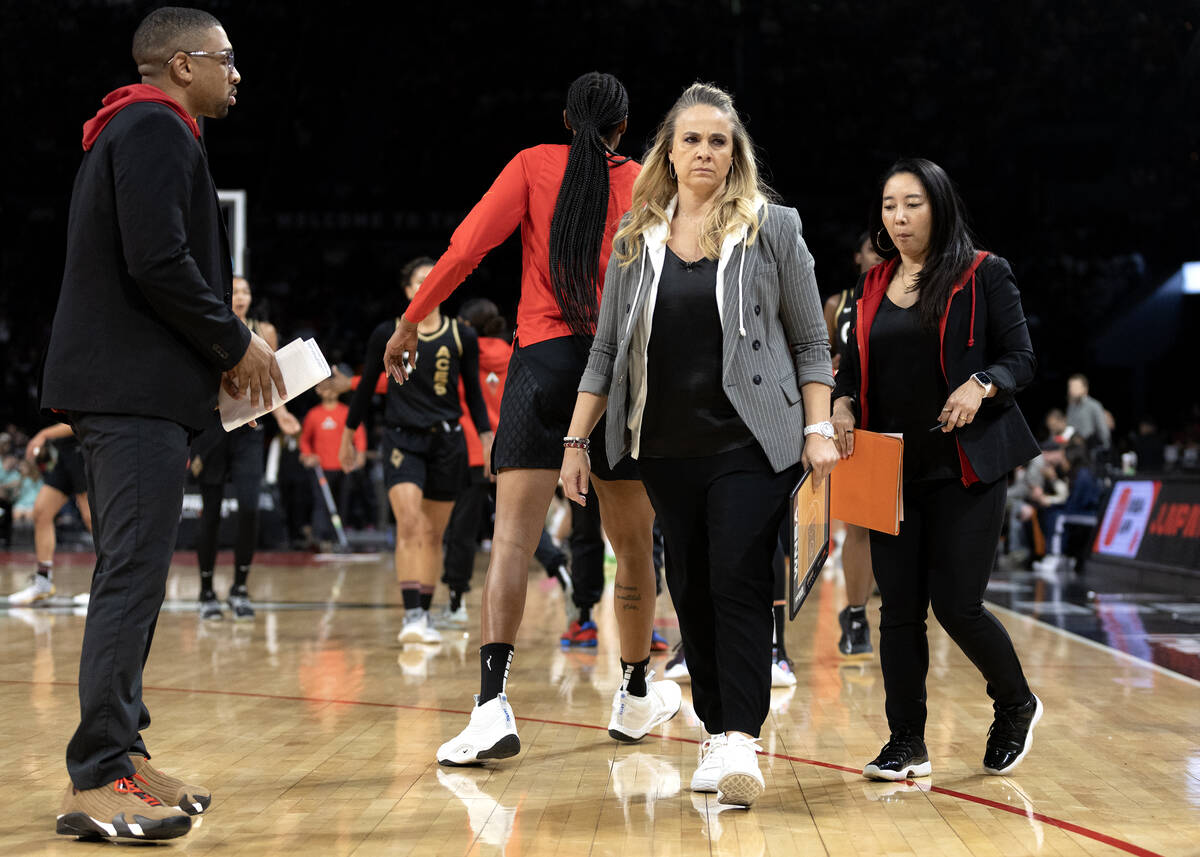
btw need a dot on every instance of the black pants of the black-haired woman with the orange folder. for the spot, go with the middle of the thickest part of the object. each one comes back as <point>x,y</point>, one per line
<point>943,558</point>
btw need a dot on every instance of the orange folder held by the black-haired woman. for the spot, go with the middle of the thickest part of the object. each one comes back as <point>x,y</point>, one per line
<point>866,489</point>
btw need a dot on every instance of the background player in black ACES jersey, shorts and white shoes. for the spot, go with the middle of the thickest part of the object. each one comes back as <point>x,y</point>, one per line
<point>424,451</point>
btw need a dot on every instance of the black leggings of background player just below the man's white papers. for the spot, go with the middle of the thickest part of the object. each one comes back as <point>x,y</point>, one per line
<point>237,458</point>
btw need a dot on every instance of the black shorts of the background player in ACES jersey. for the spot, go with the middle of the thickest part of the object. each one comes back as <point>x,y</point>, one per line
<point>435,462</point>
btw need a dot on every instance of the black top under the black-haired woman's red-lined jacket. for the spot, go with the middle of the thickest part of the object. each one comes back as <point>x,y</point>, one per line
<point>907,392</point>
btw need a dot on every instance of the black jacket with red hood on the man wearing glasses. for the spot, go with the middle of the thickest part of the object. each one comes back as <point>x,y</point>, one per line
<point>143,325</point>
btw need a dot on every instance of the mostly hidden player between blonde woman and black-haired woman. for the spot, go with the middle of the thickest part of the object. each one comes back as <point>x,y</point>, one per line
<point>856,548</point>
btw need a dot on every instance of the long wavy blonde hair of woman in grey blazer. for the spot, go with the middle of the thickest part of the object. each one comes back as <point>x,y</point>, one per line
<point>656,185</point>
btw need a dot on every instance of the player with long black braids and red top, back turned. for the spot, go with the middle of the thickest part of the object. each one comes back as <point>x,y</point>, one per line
<point>568,202</point>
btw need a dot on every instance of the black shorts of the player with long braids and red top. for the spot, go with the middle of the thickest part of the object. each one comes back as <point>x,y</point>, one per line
<point>537,407</point>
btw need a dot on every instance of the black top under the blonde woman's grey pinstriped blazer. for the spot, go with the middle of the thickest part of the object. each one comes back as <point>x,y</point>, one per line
<point>687,411</point>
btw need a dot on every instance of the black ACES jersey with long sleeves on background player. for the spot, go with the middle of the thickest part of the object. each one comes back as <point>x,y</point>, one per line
<point>431,394</point>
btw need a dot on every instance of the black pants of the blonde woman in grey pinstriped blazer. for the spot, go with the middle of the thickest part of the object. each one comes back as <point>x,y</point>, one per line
<point>721,519</point>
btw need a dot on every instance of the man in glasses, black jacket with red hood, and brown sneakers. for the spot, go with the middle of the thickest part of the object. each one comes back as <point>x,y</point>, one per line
<point>142,340</point>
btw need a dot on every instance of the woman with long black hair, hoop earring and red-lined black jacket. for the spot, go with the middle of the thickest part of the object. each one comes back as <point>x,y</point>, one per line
<point>939,339</point>
